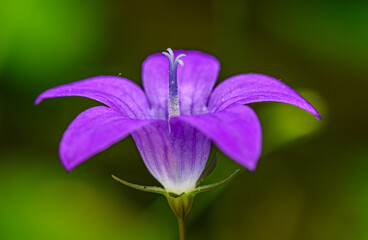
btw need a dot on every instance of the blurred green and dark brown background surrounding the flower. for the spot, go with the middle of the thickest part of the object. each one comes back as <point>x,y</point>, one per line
<point>311,181</point>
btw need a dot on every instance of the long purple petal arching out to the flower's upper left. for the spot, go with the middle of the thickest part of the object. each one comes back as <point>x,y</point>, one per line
<point>116,92</point>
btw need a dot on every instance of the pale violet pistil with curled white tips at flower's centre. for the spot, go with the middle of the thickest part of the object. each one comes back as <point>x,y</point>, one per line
<point>173,104</point>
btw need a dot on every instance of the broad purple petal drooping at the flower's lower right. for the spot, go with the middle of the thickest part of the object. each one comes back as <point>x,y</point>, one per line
<point>236,131</point>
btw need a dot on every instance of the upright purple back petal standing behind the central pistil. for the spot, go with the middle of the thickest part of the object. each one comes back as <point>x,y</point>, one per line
<point>196,80</point>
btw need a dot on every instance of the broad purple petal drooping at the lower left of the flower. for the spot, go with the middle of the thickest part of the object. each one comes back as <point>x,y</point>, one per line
<point>93,131</point>
